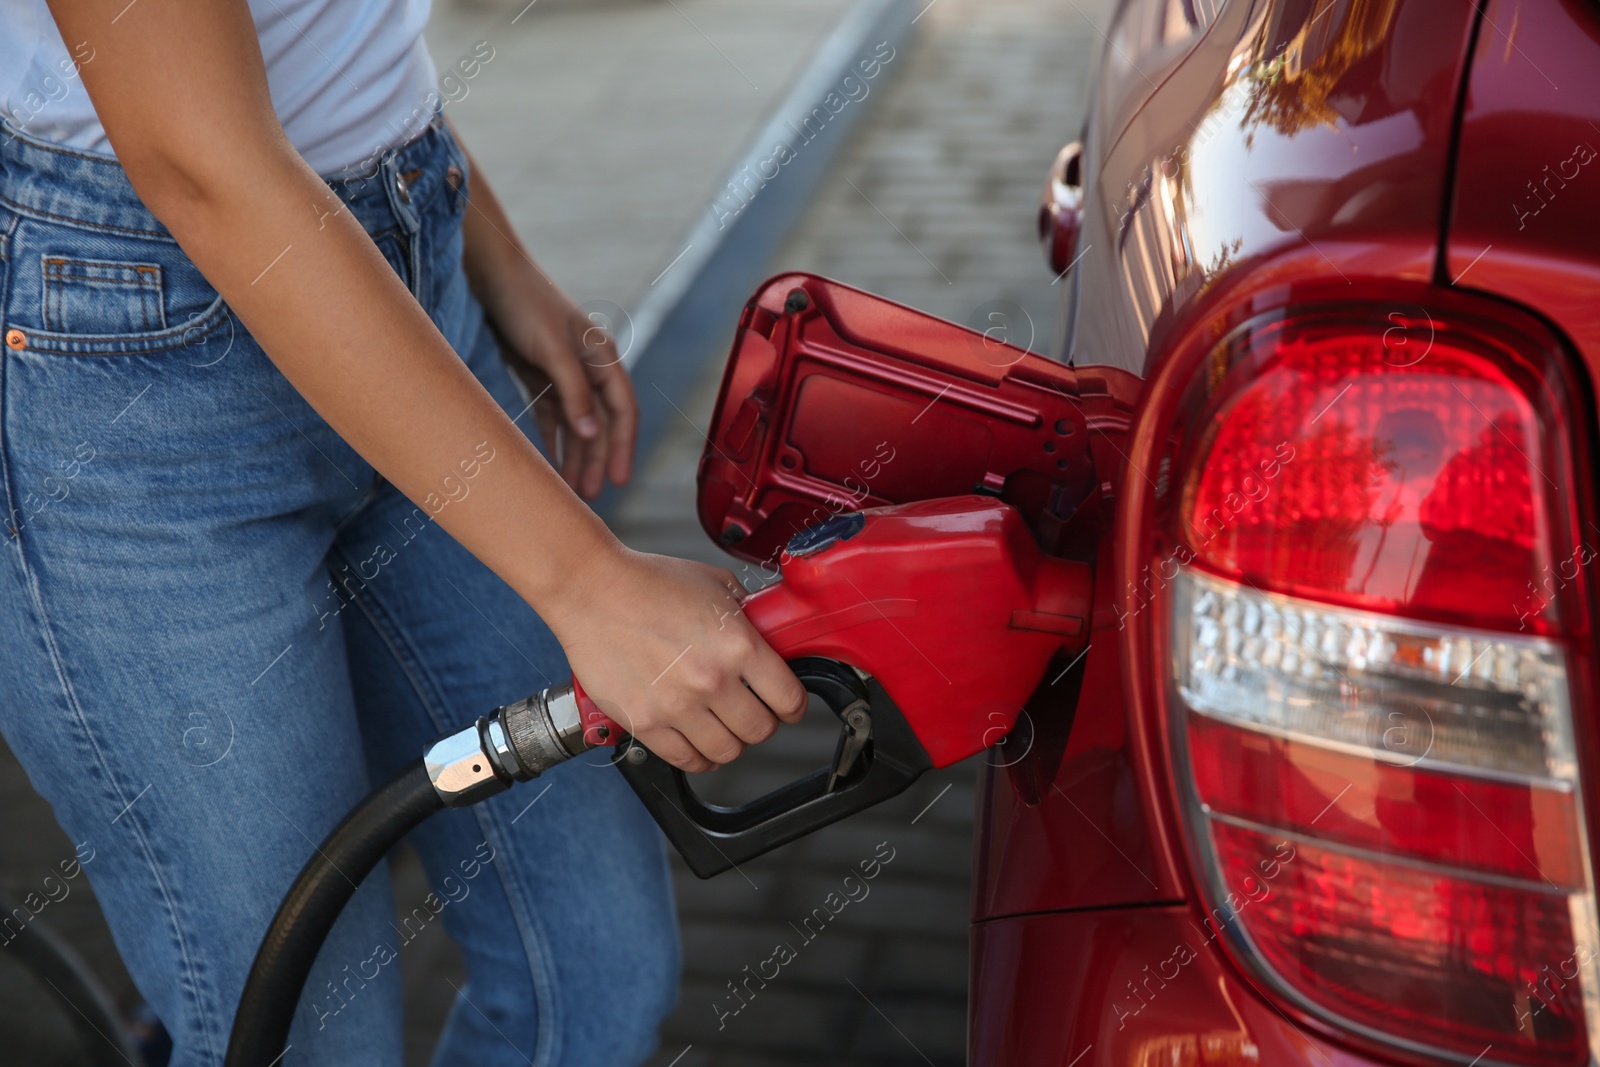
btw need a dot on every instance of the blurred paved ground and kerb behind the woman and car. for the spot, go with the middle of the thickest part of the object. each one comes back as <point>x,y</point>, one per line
<point>618,134</point>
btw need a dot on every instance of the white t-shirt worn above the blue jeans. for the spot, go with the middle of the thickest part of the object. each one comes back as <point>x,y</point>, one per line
<point>348,78</point>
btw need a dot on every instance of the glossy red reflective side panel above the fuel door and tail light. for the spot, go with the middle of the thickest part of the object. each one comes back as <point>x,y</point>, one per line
<point>1289,126</point>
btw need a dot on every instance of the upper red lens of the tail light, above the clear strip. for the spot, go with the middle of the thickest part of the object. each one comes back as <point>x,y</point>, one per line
<point>1358,471</point>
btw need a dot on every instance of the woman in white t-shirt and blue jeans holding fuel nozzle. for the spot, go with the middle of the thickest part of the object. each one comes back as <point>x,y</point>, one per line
<point>274,526</point>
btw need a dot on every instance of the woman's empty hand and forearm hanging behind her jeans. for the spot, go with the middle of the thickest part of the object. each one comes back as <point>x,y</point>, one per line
<point>583,398</point>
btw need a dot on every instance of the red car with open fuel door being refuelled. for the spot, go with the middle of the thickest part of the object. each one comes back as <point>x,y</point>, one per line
<point>1318,791</point>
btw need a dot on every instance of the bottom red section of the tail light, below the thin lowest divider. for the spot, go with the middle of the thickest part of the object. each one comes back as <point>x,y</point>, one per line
<point>1414,951</point>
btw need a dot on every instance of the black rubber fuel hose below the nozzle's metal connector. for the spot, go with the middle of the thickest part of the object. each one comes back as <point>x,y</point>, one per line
<point>326,885</point>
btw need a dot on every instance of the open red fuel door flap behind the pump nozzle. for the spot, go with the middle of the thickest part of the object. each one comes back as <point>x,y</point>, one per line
<point>838,401</point>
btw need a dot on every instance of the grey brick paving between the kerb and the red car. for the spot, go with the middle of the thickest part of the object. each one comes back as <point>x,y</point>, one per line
<point>932,204</point>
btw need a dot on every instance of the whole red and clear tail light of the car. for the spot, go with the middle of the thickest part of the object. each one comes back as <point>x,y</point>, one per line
<point>1372,679</point>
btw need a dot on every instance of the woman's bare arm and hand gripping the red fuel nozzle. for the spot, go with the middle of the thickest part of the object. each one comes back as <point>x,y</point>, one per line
<point>183,95</point>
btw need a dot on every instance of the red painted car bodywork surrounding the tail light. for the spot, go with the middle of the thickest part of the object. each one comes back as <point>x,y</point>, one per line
<point>1297,151</point>
